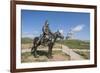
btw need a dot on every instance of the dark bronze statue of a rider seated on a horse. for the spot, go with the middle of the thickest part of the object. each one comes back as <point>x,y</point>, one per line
<point>47,38</point>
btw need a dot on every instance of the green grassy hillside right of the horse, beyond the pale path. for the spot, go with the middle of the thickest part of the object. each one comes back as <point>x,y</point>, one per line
<point>76,44</point>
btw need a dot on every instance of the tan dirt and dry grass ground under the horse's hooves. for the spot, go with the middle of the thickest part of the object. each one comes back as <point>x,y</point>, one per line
<point>57,56</point>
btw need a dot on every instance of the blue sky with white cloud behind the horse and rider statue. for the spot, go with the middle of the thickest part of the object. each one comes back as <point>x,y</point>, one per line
<point>32,22</point>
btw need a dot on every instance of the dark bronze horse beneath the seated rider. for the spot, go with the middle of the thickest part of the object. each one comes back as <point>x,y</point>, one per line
<point>49,42</point>
